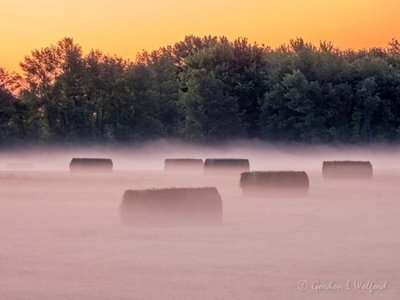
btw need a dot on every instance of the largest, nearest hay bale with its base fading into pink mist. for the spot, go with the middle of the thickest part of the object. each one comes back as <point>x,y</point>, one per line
<point>172,206</point>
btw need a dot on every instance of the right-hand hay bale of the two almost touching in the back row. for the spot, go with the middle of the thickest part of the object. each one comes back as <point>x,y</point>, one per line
<point>226,165</point>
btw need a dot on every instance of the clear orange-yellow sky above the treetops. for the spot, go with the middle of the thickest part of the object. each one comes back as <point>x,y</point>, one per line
<point>124,27</point>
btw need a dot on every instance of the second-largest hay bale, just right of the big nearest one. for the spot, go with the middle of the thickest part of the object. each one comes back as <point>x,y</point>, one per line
<point>295,183</point>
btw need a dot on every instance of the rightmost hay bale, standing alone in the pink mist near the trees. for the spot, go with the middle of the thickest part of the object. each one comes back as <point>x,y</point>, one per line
<point>347,170</point>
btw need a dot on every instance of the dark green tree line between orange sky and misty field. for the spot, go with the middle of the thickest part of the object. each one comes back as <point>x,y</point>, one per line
<point>204,89</point>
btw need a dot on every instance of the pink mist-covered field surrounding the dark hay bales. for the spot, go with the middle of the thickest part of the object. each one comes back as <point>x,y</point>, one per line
<point>61,236</point>
